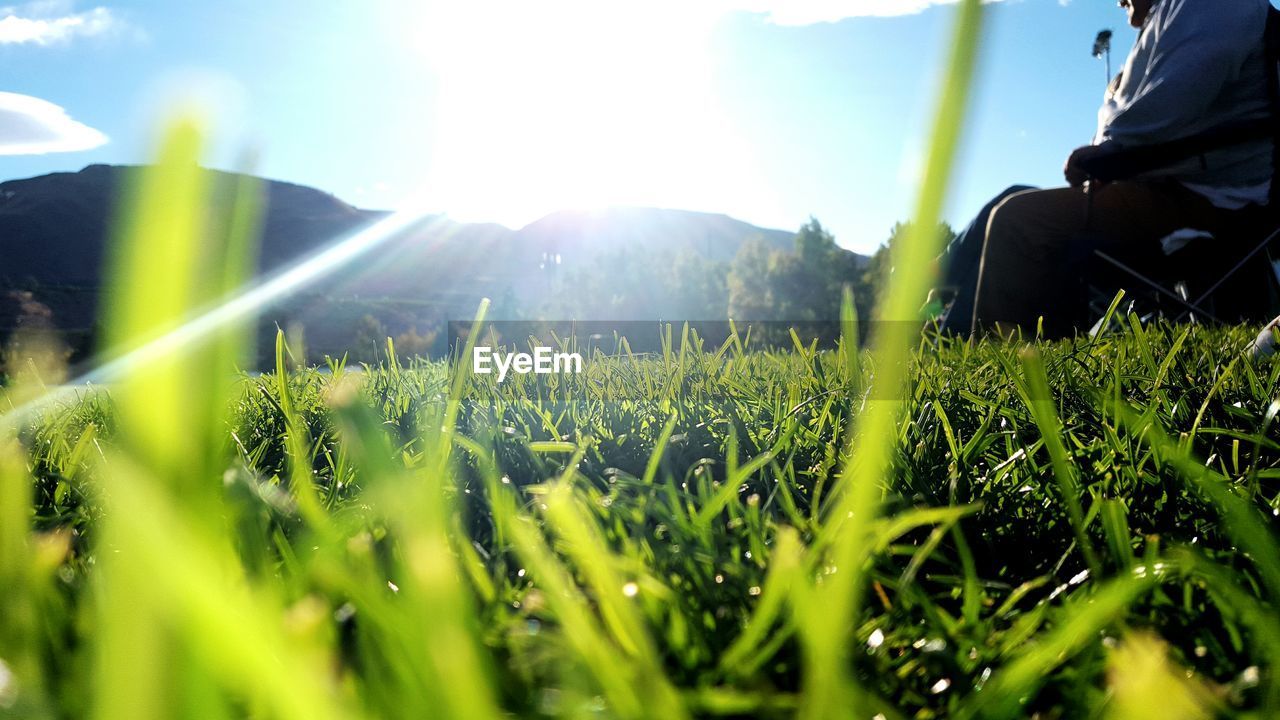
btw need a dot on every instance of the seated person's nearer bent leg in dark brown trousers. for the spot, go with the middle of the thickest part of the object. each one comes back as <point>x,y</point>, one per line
<point>1037,244</point>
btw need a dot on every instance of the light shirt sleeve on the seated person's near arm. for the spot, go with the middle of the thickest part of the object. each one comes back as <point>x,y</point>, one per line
<point>1200,45</point>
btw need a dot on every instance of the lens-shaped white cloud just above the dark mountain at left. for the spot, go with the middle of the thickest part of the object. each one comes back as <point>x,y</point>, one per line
<point>30,126</point>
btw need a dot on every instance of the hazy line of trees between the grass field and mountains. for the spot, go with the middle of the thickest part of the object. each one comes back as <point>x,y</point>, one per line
<point>798,285</point>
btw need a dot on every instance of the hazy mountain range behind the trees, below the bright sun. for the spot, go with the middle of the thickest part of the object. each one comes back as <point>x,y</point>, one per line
<point>56,233</point>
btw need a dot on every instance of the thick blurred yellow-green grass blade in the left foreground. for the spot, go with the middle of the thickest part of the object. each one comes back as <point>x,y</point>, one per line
<point>180,631</point>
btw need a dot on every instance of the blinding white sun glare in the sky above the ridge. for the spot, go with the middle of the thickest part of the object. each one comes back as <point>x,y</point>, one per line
<point>577,104</point>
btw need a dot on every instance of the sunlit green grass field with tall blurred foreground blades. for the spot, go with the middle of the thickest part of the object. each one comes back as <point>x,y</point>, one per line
<point>1077,530</point>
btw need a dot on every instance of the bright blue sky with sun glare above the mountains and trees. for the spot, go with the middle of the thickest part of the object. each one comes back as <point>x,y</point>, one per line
<point>505,111</point>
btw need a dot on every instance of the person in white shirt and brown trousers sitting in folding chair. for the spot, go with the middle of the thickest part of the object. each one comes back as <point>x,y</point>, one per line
<point>1197,65</point>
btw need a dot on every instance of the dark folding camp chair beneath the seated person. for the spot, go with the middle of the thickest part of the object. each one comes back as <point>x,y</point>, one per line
<point>1196,280</point>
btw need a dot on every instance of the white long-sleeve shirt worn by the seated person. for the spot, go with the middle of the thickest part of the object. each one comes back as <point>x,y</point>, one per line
<point>1196,66</point>
